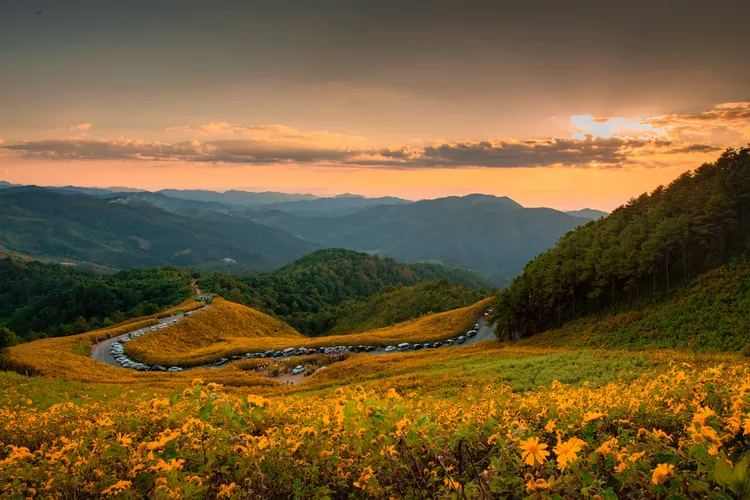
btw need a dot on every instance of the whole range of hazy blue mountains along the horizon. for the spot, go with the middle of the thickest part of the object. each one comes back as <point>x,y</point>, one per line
<point>236,230</point>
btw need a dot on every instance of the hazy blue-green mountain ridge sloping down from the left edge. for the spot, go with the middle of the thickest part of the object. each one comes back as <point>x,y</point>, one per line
<point>122,234</point>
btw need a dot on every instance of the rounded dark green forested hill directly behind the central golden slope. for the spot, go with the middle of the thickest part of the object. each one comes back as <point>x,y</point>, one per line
<point>324,279</point>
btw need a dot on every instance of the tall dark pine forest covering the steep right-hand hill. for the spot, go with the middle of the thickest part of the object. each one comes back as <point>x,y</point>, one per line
<point>639,253</point>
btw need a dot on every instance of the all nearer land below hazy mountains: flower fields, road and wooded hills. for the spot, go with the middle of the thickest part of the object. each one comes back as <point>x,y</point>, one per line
<point>322,378</point>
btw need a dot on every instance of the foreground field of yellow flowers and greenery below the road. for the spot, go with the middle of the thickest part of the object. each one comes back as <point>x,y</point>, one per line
<point>616,425</point>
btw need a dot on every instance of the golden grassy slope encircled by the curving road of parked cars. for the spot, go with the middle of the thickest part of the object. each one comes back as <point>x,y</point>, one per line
<point>198,343</point>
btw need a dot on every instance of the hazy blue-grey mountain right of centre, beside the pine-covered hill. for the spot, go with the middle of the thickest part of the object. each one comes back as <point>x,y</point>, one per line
<point>492,235</point>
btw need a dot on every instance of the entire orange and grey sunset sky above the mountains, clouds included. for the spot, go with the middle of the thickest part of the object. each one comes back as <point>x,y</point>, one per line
<point>561,104</point>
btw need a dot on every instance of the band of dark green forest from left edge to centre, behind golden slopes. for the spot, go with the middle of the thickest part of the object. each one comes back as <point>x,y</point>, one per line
<point>44,299</point>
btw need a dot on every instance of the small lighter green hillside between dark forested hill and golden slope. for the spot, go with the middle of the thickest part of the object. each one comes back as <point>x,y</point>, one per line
<point>401,303</point>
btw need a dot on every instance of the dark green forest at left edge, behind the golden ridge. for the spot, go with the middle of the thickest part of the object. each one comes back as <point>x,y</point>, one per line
<point>47,300</point>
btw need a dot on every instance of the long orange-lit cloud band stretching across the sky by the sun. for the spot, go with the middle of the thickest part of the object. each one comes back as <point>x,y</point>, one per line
<point>600,143</point>
